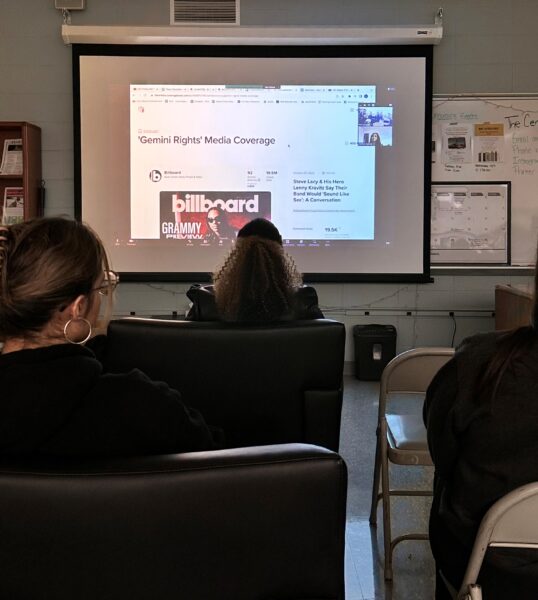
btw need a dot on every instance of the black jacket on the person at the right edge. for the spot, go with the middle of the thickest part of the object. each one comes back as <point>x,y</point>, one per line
<point>481,451</point>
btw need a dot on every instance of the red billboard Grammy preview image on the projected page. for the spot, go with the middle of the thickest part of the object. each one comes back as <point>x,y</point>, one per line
<point>210,217</point>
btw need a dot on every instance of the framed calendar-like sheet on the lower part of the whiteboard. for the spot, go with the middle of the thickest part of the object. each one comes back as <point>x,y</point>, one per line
<point>470,223</point>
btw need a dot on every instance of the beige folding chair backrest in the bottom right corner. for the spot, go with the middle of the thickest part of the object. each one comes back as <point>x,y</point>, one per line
<point>510,523</point>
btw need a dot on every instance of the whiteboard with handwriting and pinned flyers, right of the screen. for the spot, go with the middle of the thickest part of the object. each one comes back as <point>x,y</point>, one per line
<point>492,138</point>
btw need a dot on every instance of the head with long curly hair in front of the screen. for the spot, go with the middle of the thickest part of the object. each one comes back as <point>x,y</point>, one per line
<point>258,279</point>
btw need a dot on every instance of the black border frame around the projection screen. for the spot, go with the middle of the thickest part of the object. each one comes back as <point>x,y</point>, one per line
<point>310,51</point>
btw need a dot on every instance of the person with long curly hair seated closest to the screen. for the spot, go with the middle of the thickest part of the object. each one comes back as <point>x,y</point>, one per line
<point>257,283</point>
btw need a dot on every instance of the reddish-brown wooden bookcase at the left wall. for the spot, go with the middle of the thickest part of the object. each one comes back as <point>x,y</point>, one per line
<point>30,178</point>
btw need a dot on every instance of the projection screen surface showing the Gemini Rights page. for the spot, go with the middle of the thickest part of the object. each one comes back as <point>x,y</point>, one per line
<point>178,152</point>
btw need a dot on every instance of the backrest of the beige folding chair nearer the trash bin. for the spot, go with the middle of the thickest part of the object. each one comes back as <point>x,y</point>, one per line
<point>412,371</point>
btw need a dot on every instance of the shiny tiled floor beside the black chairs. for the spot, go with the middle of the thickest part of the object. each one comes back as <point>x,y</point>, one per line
<point>412,563</point>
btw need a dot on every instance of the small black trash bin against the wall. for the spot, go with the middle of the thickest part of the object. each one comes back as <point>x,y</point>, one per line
<point>375,346</point>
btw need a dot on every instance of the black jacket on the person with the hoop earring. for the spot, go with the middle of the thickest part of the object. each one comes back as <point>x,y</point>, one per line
<point>57,401</point>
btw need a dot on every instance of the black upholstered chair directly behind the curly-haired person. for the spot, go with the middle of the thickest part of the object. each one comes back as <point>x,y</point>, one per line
<point>265,384</point>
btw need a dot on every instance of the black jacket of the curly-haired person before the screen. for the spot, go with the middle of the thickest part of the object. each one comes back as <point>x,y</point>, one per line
<point>204,307</point>
